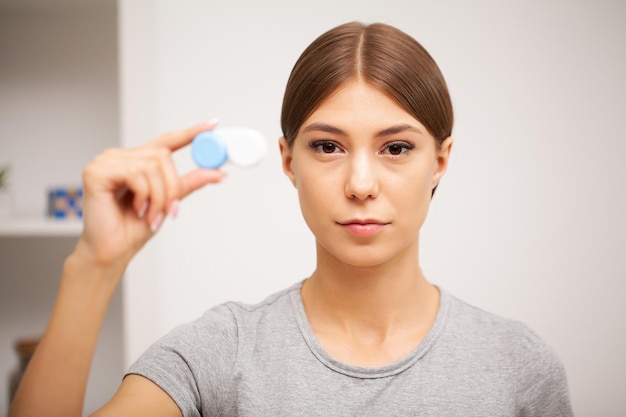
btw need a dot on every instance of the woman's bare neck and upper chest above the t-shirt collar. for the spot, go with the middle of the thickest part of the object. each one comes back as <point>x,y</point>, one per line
<point>369,316</point>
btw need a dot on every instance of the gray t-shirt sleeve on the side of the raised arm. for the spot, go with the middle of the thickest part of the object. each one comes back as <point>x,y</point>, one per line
<point>193,363</point>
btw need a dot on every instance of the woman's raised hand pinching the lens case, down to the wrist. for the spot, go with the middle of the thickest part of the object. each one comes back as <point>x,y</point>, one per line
<point>129,192</point>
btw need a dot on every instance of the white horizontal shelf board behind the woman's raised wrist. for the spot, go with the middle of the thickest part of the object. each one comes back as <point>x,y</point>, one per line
<point>39,227</point>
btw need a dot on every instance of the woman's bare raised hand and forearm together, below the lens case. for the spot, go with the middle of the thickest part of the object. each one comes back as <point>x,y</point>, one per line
<point>127,194</point>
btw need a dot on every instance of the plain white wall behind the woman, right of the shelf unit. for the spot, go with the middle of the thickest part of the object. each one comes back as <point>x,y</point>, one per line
<point>528,223</point>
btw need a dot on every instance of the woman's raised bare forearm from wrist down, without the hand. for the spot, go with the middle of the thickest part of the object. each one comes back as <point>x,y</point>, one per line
<point>55,382</point>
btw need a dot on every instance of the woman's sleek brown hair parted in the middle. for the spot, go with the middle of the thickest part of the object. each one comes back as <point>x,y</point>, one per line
<point>380,54</point>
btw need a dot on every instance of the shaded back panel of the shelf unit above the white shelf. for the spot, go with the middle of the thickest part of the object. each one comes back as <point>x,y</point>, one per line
<point>58,93</point>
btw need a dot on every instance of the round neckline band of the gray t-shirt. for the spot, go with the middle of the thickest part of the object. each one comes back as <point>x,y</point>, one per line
<point>368,372</point>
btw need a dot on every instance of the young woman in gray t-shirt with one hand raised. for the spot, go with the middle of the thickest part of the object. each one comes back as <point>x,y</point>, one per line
<point>367,121</point>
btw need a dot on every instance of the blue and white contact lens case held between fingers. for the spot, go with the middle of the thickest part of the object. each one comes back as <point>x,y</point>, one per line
<point>240,146</point>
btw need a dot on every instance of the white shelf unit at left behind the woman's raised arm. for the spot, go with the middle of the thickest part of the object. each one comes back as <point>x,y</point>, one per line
<point>59,107</point>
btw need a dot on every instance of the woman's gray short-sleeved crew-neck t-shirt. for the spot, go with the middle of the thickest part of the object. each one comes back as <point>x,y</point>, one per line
<point>264,360</point>
